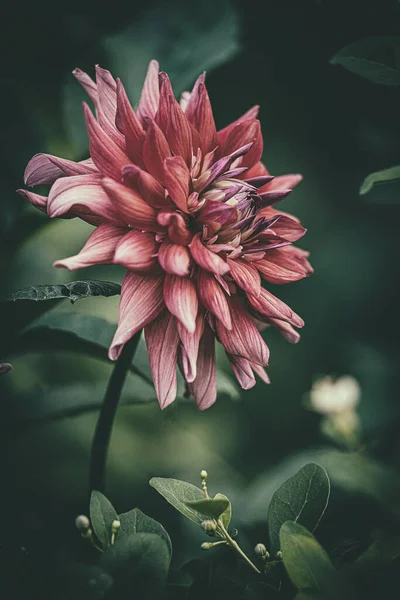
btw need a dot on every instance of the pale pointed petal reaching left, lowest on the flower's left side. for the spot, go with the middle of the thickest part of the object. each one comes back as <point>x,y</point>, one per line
<point>99,249</point>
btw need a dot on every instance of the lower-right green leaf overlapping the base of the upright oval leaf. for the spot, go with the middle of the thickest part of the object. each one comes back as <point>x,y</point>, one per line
<point>306,562</point>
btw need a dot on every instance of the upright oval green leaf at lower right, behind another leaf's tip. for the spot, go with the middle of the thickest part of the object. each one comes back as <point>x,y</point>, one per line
<point>303,498</point>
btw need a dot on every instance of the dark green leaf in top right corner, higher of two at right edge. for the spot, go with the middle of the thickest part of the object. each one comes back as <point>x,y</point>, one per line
<point>375,58</point>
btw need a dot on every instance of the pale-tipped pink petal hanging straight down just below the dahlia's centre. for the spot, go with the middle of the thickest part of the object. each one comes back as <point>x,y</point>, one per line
<point>180,297</point>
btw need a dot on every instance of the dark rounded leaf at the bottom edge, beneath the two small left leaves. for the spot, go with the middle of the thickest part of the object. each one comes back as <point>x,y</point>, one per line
<point>139,566</point>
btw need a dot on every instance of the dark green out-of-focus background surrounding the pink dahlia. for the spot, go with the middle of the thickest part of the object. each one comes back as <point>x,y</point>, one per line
<point>317,119</point>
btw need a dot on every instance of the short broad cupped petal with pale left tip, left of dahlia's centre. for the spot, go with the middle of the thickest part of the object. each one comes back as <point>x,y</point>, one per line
<point>137,251</point>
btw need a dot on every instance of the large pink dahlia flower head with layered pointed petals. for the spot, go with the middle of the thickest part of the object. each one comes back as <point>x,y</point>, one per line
<point>188,211</point>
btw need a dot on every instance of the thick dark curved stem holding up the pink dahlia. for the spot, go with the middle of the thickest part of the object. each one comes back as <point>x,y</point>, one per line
<point>102,434</point>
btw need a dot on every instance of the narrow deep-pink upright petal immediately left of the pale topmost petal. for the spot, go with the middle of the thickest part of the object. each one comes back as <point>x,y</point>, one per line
<point>129,124</point>
